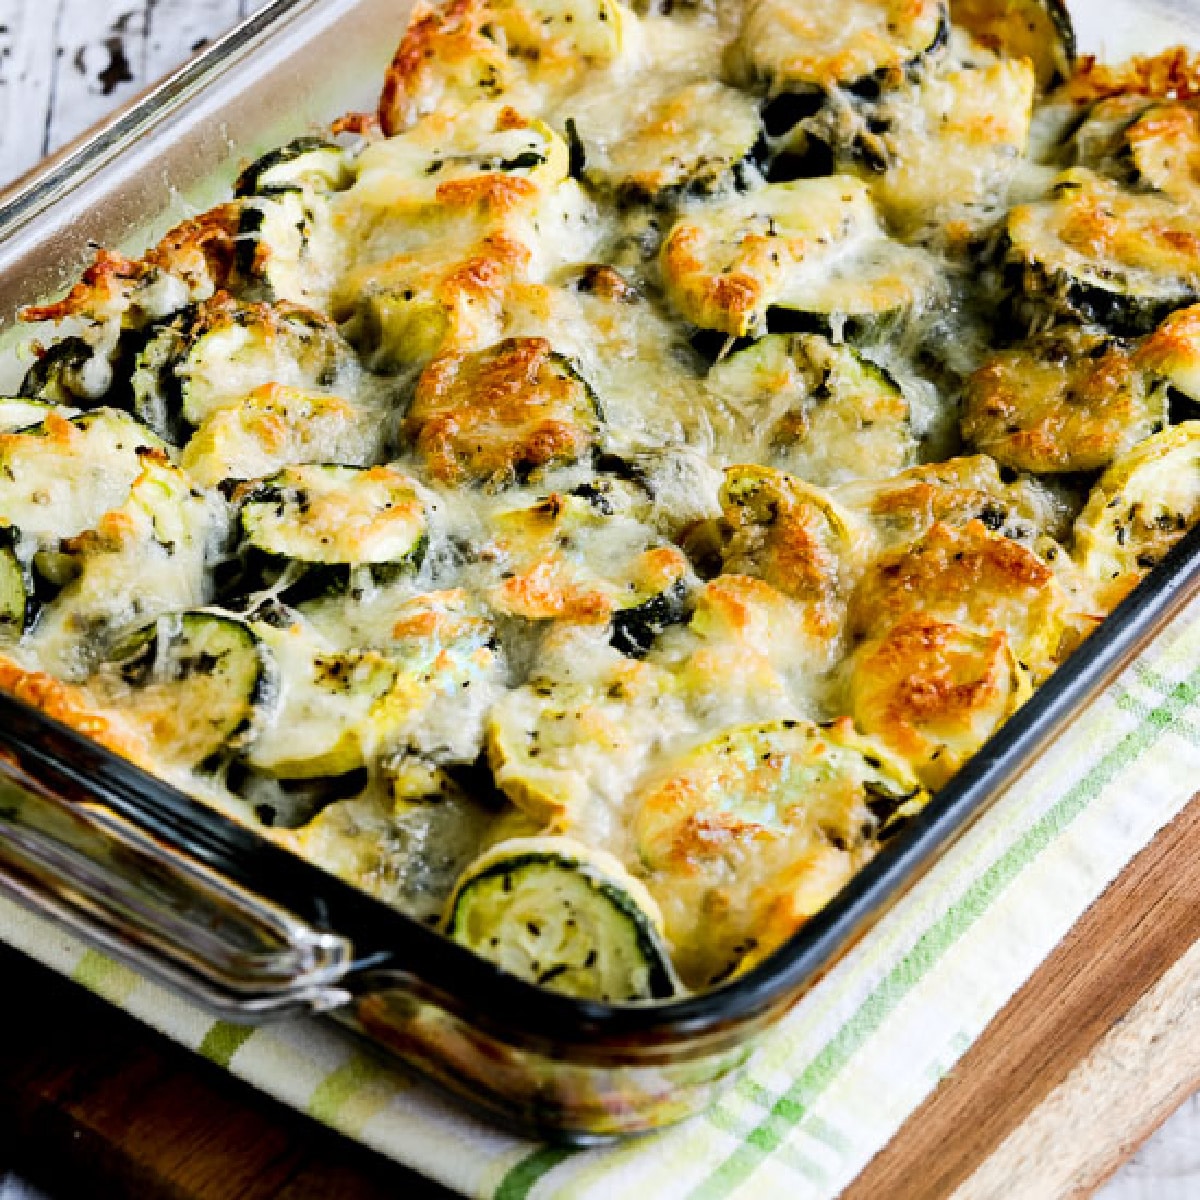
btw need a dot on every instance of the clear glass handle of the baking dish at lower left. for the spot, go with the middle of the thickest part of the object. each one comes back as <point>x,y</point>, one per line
<point>155,907</point>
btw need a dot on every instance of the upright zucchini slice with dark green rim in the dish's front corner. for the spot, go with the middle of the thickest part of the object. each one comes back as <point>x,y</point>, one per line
<point>566,917</point>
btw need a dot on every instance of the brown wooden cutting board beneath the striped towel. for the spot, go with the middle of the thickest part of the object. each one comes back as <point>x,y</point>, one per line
<point>1088,1060</point>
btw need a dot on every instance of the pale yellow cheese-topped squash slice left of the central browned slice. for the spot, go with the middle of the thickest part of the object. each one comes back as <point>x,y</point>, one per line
<point>278,427</point>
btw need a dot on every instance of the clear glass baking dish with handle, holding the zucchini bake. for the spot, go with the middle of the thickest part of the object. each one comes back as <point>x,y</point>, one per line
<point>185,895</point>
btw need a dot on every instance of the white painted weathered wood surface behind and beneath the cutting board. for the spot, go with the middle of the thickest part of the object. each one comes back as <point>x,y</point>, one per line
<point>64,64</point>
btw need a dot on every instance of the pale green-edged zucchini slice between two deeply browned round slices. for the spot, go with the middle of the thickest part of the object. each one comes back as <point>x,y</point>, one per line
<point>820,411</point>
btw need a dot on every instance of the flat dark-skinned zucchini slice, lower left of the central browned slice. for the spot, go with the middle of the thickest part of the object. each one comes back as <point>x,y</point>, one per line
<point>337,520</point>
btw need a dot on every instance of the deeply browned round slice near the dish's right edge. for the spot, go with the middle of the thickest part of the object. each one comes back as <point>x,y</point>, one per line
<point>1065,403</point>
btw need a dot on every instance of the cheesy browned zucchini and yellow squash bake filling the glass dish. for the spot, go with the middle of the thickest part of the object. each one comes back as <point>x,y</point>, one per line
<point>595,502</point>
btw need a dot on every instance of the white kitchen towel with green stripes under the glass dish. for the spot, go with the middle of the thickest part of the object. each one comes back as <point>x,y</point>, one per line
<point>853,1061</point>
